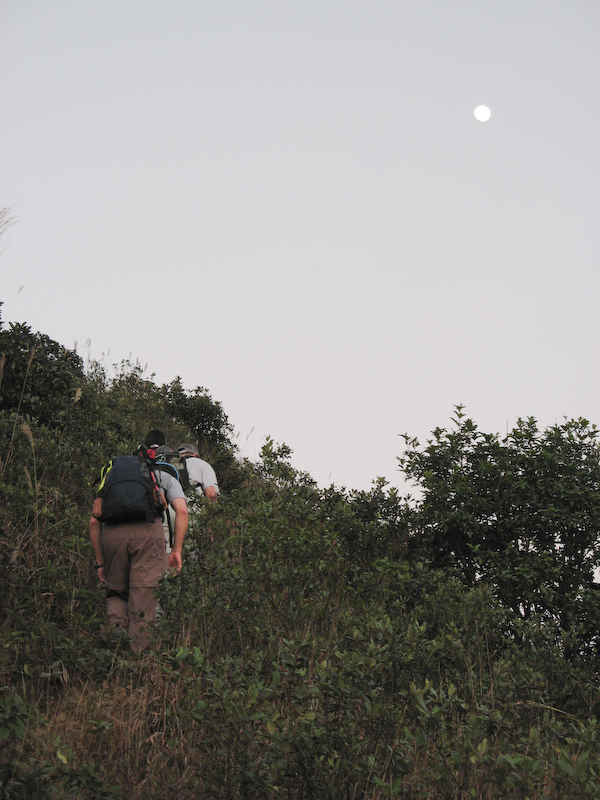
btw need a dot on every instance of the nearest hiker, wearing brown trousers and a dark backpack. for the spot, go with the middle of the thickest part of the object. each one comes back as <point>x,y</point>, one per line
<point>126,532</point>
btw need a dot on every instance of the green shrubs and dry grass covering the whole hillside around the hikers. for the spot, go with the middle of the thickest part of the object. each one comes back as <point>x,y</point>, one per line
<point>318,643</point>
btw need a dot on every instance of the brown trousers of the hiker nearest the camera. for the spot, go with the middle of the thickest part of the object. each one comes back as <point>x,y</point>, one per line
<point>135,560</point>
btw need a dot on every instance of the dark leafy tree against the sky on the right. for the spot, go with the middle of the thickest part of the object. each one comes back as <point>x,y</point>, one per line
<point>521,514</point>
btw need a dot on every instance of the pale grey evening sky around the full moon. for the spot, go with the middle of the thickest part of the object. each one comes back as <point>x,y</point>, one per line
<point>292,205</point>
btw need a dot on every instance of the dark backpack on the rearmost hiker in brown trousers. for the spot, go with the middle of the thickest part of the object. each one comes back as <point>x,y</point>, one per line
<point>129,492</point>
